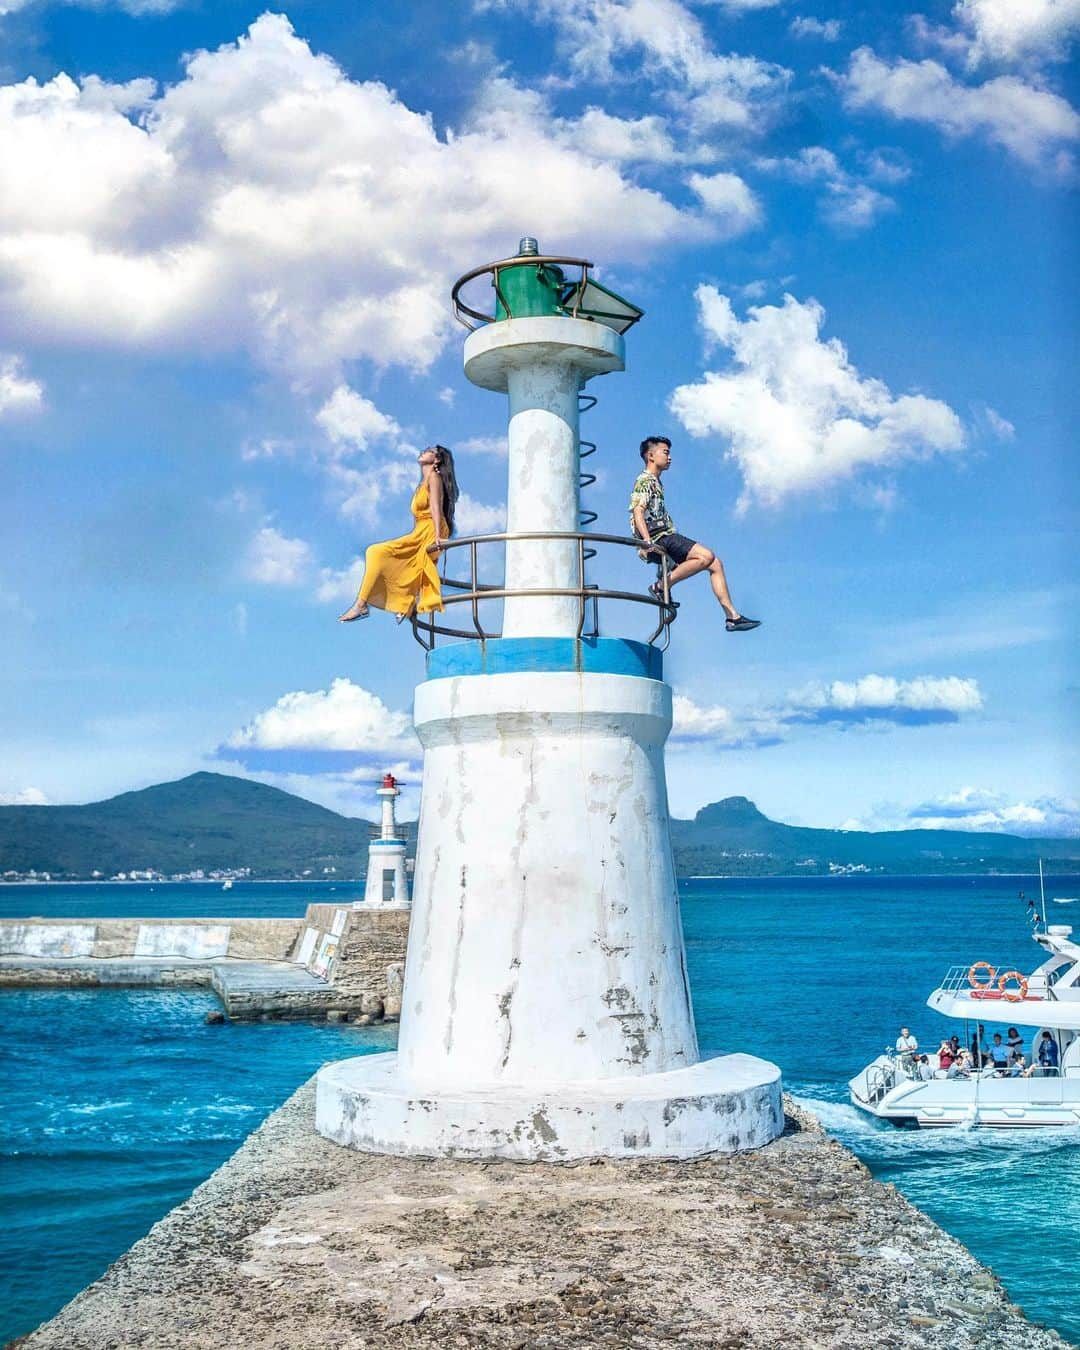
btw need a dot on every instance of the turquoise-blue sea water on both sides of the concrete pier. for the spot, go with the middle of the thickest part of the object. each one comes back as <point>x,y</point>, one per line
<point>118,1104</point>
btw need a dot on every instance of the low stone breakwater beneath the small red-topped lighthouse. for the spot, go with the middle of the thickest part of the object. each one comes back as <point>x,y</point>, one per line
<point>335,963</point>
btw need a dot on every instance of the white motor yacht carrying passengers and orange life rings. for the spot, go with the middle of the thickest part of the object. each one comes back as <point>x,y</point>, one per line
<point>896,1087</point>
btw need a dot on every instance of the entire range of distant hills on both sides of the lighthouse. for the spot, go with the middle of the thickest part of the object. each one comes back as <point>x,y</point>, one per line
<point>215,823</point>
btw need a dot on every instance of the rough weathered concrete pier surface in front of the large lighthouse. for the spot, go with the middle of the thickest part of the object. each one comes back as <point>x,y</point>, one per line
<point>298,1243</point>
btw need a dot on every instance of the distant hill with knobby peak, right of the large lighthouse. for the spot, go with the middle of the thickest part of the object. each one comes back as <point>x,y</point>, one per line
<point>734,838</point>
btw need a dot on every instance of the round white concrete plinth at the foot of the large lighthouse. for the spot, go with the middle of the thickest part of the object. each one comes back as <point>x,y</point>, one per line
<point>716,1106</point>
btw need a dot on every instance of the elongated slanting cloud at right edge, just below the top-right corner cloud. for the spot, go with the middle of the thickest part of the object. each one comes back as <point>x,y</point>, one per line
<point>1032,124</point>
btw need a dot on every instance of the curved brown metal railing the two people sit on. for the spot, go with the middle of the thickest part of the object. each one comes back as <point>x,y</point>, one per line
<point>476,593</point>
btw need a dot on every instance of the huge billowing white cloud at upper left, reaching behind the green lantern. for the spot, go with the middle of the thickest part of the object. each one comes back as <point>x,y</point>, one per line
<point>269,203</point>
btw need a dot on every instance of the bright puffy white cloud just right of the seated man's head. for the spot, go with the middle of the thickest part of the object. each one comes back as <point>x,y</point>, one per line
<point>796,412</point>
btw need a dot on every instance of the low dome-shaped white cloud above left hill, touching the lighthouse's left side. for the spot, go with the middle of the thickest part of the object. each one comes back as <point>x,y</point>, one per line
<point>345,718</point>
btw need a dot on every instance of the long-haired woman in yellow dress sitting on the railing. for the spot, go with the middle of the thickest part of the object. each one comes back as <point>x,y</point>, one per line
<point>403,574</point>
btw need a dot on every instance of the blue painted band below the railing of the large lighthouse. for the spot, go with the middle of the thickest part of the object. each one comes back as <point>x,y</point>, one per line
<point>518,655</point>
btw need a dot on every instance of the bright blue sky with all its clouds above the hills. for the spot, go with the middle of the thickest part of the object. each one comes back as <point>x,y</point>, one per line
<point>226,246</point>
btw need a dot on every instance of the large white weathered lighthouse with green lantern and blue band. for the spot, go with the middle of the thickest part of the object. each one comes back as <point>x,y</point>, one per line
<point>546,1012</point>
